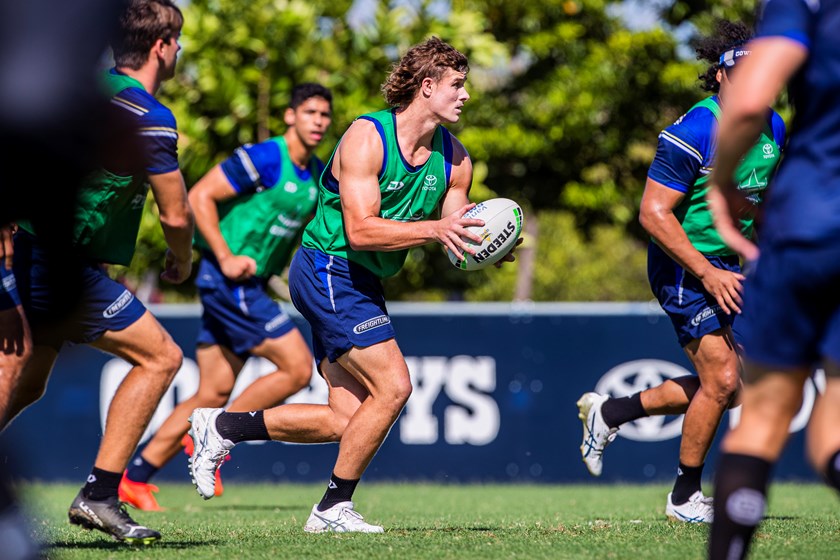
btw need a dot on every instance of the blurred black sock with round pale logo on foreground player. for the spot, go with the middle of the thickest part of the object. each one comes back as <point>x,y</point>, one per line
<point>740,502</point>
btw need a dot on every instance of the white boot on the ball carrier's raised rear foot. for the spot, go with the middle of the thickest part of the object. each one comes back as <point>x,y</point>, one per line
<point>210,450</point>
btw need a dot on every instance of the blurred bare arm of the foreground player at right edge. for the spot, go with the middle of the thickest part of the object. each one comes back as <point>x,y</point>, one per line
<point>773,62</point>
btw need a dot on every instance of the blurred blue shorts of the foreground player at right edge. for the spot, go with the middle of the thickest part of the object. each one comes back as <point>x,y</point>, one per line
<point>792,306</point>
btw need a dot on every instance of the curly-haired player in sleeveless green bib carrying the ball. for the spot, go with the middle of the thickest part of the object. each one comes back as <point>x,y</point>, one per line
<point>377,199</point>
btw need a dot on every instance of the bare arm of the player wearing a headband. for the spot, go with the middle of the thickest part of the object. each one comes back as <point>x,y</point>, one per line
<point>657,217</point>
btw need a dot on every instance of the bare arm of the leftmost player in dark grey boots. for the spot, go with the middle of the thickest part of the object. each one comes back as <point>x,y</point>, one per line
<point>176,219</point>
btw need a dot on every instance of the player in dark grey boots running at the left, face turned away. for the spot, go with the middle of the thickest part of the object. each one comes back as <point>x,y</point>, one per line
<point>106,220</point>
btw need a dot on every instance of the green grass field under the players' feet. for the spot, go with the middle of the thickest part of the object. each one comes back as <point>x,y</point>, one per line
<point>437,522</point>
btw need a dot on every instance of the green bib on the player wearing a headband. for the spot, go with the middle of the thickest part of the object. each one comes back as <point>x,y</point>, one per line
<point>752,176</point>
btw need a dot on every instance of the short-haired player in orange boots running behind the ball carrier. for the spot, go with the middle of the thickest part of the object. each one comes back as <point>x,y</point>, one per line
<point>250,210</point>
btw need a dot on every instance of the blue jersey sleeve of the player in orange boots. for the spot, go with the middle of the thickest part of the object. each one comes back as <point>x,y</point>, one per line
<point>257,166</point>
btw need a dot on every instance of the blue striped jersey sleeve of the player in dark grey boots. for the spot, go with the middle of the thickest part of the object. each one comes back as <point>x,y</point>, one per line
<point>156,129</point>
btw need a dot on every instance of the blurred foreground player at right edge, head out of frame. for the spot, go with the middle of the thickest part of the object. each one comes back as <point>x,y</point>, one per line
<point>792,304</point>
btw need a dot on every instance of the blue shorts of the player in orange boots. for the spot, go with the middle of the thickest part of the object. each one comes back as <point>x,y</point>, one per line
<point>237,315</point>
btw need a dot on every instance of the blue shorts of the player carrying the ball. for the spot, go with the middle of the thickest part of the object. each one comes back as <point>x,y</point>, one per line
<point>342,301</point>
